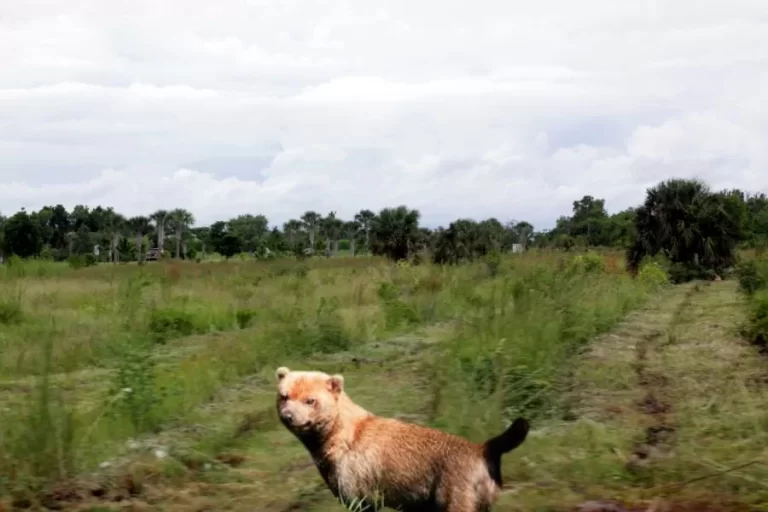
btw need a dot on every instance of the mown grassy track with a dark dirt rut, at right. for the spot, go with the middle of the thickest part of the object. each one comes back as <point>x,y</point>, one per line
<point>681,402</point>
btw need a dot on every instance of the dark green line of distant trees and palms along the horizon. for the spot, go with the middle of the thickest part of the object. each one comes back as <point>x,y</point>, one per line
<point>675,211</point>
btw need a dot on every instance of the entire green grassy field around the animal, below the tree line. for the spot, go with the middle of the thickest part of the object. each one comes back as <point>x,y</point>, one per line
<point>152,388</point>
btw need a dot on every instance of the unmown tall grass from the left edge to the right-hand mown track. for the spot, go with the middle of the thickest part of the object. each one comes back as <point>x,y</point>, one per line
<point>91,357</point>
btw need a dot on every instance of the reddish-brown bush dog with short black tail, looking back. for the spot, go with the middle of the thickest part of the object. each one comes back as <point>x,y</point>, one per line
<point>382,460</point>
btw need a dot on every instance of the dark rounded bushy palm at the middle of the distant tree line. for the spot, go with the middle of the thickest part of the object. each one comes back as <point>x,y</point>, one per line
<point>395,232</point>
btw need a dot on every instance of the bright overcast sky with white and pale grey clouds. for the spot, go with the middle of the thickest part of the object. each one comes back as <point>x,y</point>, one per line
<point>505,108</point>
